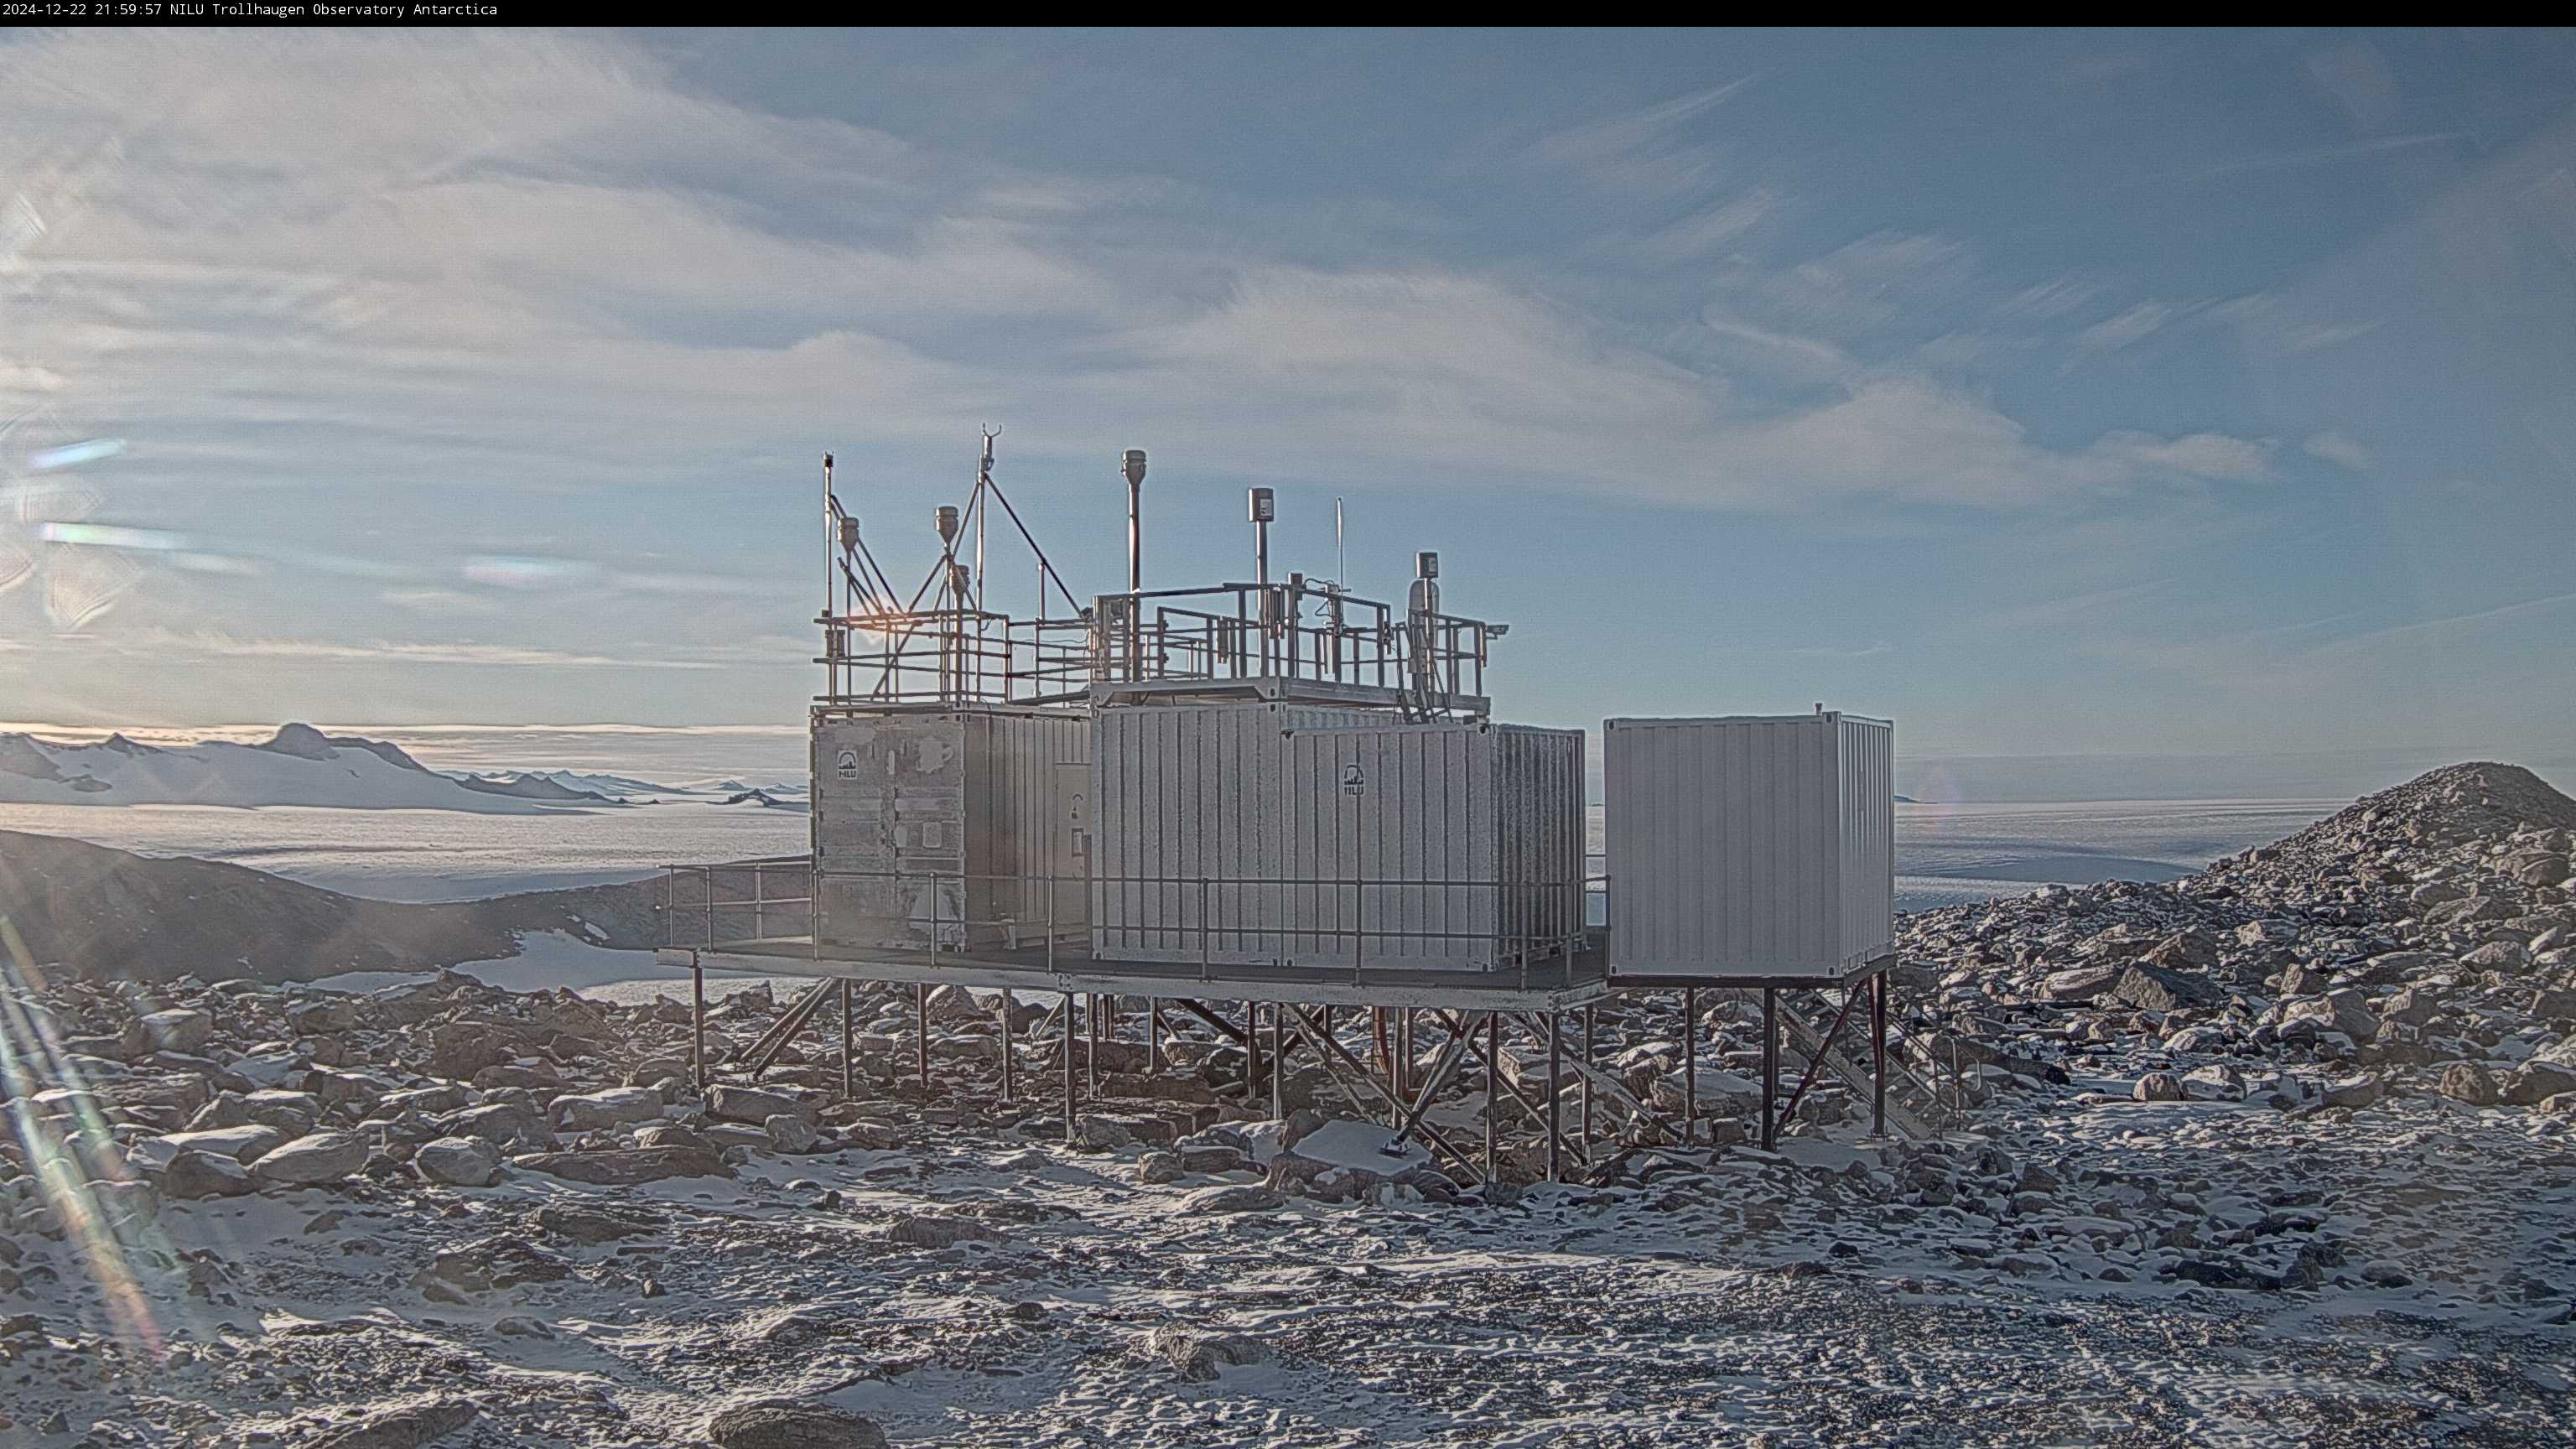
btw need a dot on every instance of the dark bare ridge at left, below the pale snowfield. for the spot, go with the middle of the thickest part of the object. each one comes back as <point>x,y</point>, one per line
<point>117,917</point>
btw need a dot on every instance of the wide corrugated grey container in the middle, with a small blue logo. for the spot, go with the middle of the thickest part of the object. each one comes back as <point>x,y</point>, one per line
<point>1333,837</point>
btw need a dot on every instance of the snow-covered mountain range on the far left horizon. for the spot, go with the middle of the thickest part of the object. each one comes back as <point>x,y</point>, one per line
<point>295,767</point>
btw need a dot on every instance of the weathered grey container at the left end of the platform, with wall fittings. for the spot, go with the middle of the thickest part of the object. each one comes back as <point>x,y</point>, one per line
<point>949,824</point>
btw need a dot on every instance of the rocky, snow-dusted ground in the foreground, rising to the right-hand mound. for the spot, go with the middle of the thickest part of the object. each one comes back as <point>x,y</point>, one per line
<point>2278,1154</point>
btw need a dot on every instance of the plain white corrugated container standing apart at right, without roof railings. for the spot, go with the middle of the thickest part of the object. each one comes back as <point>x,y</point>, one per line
<point>1750,847</point>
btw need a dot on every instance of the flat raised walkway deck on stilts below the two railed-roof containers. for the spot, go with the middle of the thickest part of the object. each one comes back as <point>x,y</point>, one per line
<point>1555,986</point>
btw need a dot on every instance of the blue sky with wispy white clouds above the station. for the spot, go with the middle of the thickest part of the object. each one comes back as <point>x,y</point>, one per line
<point>2047,393</point>
